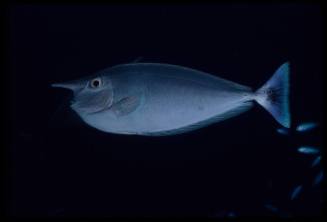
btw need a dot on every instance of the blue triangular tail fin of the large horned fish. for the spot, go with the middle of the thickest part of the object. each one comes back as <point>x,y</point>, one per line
<point>274,95</point>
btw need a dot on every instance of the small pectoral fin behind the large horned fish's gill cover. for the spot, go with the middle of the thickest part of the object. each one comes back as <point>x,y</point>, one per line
<point>126,105</point>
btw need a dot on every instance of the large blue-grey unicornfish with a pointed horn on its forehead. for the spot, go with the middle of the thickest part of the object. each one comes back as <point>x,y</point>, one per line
<point>161,99</point>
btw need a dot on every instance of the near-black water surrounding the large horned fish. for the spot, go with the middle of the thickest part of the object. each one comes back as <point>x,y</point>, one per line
<point>59,166</point>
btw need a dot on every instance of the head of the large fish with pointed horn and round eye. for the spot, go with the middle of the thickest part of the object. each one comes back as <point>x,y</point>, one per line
<point>90,95</point>
